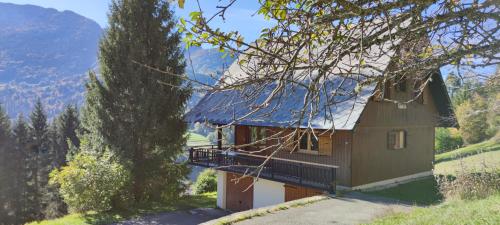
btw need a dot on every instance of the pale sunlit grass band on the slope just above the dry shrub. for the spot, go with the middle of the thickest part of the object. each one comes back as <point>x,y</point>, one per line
<point>470,163</point>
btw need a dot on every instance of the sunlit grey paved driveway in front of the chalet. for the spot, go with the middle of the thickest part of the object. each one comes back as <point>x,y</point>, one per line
<point>354,208</point>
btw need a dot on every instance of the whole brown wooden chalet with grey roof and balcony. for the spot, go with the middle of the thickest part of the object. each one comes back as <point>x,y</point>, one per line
<point>375,142</point>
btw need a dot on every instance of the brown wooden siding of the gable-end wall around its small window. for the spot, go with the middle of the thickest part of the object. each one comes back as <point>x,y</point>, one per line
<point>373,161</point>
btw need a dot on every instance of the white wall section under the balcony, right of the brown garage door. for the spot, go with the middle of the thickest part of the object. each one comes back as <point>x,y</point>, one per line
<point>266,193</point>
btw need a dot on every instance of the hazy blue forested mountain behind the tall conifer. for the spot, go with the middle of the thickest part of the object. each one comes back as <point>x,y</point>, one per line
<point>46,54</point>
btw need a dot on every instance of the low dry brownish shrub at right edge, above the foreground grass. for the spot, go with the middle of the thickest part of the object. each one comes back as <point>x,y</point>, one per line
<point>470,185</point>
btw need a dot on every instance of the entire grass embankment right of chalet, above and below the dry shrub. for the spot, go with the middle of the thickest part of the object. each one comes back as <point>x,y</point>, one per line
<point>426,192</point>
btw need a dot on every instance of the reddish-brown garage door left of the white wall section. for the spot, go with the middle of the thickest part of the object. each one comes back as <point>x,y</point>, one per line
<point>236,198</point>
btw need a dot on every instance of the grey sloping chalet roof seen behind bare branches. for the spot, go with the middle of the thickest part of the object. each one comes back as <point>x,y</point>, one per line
<point>340,103</point>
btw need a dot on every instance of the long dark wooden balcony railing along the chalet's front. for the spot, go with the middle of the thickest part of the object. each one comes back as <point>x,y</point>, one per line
<point>307,174</point>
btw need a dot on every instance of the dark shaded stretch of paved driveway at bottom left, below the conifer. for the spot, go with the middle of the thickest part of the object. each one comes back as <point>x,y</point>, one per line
<point>190,217</point>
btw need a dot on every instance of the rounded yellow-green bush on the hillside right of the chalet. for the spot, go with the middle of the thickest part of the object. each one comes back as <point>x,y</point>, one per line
<point>471,116</point>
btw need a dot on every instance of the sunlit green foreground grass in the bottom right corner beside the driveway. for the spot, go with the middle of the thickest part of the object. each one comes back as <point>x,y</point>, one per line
<point>484,211</point>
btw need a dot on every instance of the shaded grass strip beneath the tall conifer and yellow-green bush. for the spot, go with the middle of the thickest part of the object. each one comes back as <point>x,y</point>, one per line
<point>207,200</point>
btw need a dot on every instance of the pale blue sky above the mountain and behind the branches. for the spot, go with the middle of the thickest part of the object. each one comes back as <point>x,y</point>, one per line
<point>241,14</point>
